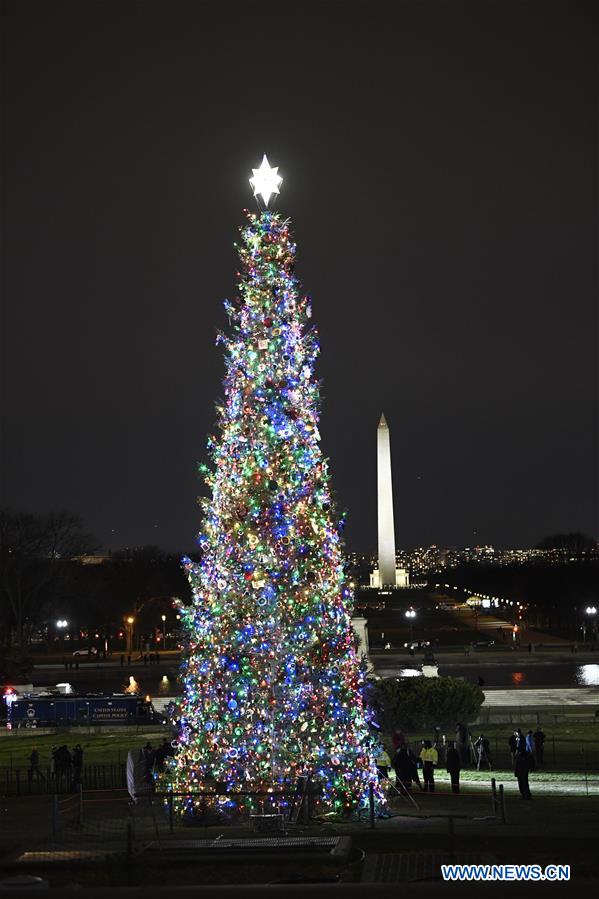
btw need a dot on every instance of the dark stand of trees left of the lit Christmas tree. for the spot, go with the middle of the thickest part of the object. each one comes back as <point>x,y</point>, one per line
<point>44,575</point>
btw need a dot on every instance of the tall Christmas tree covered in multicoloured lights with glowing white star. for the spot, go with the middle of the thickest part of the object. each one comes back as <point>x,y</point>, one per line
<point>272,681</point>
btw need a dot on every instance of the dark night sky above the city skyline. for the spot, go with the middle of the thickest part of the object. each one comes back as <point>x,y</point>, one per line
<point>439,164</point>
